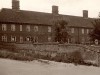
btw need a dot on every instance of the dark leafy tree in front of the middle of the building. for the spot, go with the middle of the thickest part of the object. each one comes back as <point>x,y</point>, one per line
<point>61,31</point>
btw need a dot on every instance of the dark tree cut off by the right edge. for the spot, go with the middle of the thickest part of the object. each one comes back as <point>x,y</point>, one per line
<point>95,34</point>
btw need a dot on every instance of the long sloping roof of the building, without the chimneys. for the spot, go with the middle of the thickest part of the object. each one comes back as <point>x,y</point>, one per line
<point>33,17</point>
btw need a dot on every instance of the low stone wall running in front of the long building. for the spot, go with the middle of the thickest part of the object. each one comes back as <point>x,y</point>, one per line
<point>89,53</point>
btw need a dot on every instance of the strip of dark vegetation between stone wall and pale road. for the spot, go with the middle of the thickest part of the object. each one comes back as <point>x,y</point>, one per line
<point>29,55</point>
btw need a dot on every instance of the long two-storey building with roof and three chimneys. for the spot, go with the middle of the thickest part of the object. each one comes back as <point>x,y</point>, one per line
<point>21,26</point>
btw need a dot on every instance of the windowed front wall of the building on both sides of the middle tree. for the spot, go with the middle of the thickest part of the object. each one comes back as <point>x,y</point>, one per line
<point>38,33</point>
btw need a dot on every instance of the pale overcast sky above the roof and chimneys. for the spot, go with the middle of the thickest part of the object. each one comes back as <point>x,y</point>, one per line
<point>68,7</point>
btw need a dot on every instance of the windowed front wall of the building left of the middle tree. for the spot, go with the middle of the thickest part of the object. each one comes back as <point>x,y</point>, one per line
<point>21,33</point>
